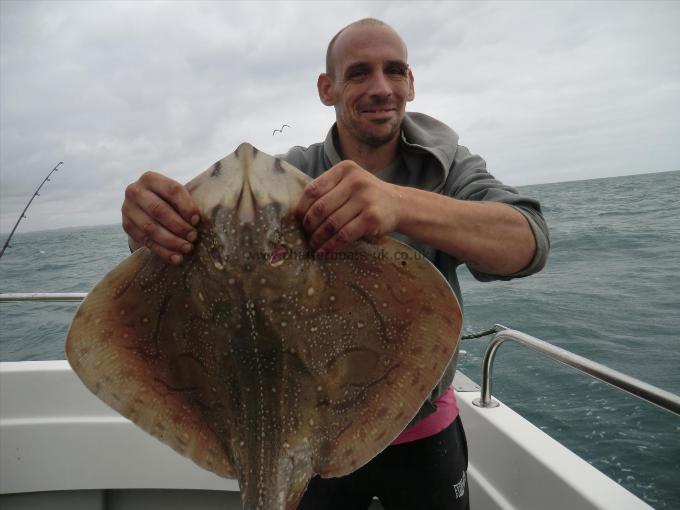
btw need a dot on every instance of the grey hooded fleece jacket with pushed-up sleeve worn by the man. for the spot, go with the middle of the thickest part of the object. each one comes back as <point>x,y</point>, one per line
<point>432,160</point>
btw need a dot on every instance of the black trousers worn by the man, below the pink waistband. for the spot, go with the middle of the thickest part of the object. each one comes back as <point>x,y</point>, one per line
<point>428,474</point>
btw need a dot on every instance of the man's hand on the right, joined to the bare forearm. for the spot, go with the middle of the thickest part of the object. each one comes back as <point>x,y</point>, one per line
<point>347,203</point>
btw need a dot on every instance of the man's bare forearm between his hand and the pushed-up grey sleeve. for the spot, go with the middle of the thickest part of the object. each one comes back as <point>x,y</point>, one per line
<point>491,237</point>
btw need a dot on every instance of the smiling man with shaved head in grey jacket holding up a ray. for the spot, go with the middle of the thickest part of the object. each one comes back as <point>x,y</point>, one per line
<point>382,171</point>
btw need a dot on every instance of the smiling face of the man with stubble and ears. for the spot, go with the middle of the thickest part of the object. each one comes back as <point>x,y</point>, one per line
<point>371,84</point>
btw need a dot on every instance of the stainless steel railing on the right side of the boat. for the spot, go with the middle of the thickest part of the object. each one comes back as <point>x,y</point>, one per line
<point>662,398</point>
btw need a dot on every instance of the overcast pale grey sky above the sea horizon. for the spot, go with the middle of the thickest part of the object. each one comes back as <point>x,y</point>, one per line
<point>545,92</point>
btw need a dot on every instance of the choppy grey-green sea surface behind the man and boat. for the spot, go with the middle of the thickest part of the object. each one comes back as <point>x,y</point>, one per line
<point>610,292</point>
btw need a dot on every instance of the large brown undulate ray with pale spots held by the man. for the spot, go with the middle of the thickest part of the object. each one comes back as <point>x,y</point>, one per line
<point>253,358</point>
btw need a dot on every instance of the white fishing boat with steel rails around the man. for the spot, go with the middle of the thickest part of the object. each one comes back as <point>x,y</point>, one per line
<point>62,448</point>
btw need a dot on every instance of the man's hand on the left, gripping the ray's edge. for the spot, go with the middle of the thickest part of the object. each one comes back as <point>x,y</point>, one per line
<point>159,213</point>
